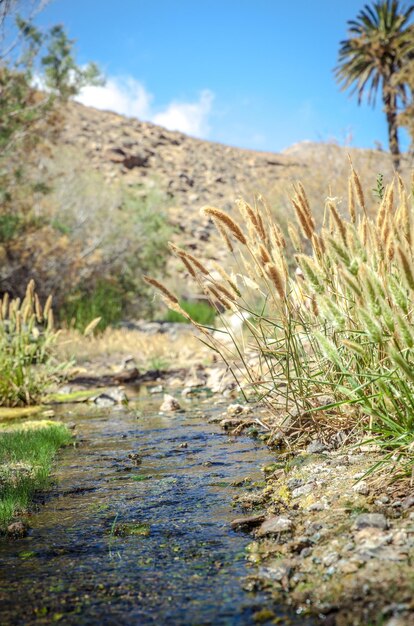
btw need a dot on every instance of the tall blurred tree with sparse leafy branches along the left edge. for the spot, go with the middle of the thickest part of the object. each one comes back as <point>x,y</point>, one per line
<point>30,241</point>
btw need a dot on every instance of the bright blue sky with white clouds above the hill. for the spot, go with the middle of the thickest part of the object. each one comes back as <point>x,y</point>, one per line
<point>250,73</point>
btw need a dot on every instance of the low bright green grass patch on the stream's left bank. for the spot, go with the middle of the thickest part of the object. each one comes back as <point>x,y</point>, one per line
<point>26,457</point>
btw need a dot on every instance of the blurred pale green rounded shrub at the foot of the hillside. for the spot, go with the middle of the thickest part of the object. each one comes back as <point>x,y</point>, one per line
<point>120,235</point>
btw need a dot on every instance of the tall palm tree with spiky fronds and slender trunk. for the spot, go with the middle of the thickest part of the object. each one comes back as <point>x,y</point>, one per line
<point>380,42</point>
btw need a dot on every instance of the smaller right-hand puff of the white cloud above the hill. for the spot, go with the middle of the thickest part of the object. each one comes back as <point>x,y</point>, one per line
<point>188,117</point>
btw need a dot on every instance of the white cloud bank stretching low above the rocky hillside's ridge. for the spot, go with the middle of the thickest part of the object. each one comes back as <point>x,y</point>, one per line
<point>129,97</point>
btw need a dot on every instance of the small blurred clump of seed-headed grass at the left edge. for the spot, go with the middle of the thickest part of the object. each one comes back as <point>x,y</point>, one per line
<point>26,339</point>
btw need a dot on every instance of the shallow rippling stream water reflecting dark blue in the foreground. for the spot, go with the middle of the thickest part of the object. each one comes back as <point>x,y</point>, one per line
<point>182,565</point>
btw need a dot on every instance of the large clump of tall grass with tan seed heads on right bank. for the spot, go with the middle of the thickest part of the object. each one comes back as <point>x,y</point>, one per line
<point>331,346</point>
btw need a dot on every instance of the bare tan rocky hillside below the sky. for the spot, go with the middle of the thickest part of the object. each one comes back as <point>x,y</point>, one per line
<point>193,173</point>
